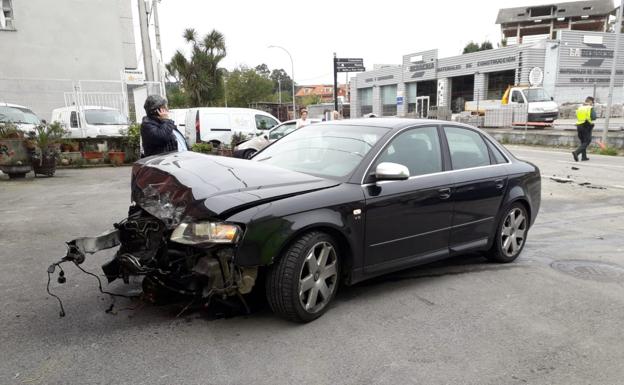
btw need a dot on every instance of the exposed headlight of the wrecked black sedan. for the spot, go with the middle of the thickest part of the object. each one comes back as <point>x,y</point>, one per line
<point>197,233</point>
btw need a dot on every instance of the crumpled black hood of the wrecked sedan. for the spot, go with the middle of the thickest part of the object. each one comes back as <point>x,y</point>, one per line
<point>188,184</point>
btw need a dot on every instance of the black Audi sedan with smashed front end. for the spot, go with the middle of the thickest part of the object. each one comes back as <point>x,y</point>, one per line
<point>329,204</point>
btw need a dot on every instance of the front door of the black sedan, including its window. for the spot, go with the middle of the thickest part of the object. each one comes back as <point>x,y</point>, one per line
<point>409,221</point>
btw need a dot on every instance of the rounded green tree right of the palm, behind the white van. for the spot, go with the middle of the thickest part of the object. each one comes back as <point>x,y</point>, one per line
<point>246,86</point>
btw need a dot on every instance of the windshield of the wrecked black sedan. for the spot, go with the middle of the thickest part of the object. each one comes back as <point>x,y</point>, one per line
<point>332,151</point>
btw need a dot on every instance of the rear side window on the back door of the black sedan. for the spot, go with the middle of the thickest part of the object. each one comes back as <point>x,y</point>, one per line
<point>467,148</point>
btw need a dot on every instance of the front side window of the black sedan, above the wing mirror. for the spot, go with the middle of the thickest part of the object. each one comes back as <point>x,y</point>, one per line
<point>417,149</point>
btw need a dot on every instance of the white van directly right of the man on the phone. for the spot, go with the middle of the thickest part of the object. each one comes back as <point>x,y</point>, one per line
<point>218,124</point>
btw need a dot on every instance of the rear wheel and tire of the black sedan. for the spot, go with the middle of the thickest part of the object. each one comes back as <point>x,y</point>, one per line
<point>511,234</point>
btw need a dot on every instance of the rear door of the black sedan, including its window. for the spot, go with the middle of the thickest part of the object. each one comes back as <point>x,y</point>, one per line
<point>480,179</point>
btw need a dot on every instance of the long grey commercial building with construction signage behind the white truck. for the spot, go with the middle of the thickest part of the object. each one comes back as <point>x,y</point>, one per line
<point>575,62</point>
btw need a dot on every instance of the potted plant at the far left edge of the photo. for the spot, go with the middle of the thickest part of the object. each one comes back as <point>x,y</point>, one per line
<point>14,153</point>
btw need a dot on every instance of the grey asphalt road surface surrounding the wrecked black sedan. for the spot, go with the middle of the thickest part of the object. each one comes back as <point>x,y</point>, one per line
<point>464,321</point>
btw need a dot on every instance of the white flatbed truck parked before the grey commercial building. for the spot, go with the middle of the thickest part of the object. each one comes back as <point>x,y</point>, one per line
<point>542,109</point>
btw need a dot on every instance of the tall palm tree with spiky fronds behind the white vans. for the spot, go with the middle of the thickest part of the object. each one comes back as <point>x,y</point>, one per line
<point>200,77</point>
